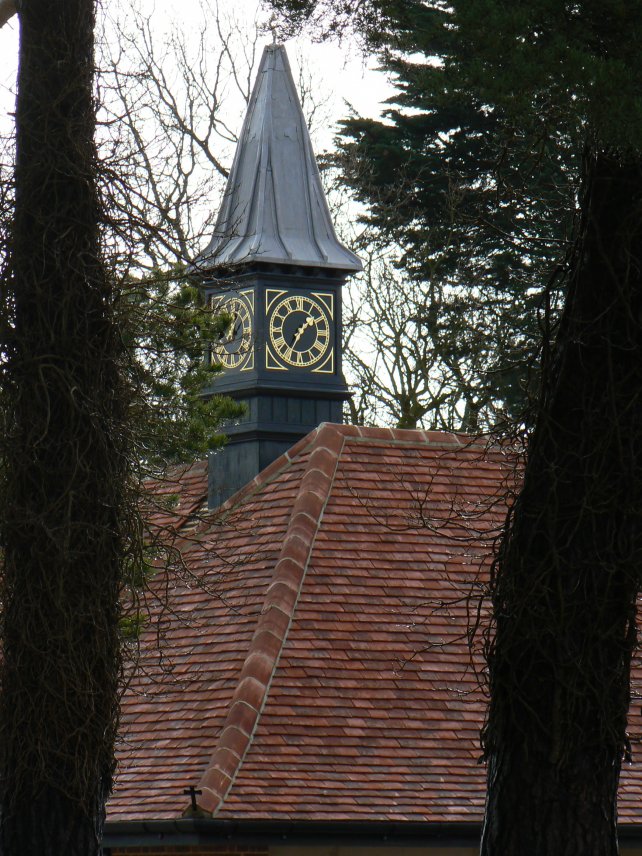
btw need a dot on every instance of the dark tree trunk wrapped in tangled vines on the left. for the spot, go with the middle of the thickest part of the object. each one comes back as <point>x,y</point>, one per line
<point>63,458</point>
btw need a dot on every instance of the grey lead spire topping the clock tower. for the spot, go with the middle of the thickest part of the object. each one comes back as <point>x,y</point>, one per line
<point>274,209</point>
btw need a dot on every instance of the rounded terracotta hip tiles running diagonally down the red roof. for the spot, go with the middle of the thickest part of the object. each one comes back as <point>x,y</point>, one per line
<point>276,615</point>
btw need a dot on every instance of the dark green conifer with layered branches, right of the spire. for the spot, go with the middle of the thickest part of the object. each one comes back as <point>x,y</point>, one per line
<point>479,211</point>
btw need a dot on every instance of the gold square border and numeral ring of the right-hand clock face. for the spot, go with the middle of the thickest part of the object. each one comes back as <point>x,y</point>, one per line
<point>288,354</point>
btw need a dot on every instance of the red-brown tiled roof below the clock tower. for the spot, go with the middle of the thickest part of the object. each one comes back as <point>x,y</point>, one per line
<point>314,661</point>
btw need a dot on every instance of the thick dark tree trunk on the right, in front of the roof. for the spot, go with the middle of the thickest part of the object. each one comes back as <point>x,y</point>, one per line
<point>567,575</point>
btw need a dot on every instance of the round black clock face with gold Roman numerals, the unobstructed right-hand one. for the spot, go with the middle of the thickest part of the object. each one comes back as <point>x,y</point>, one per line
<point>300,330</point>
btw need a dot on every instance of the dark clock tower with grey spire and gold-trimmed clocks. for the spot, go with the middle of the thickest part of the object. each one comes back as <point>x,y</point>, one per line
<point>275,268</point>
